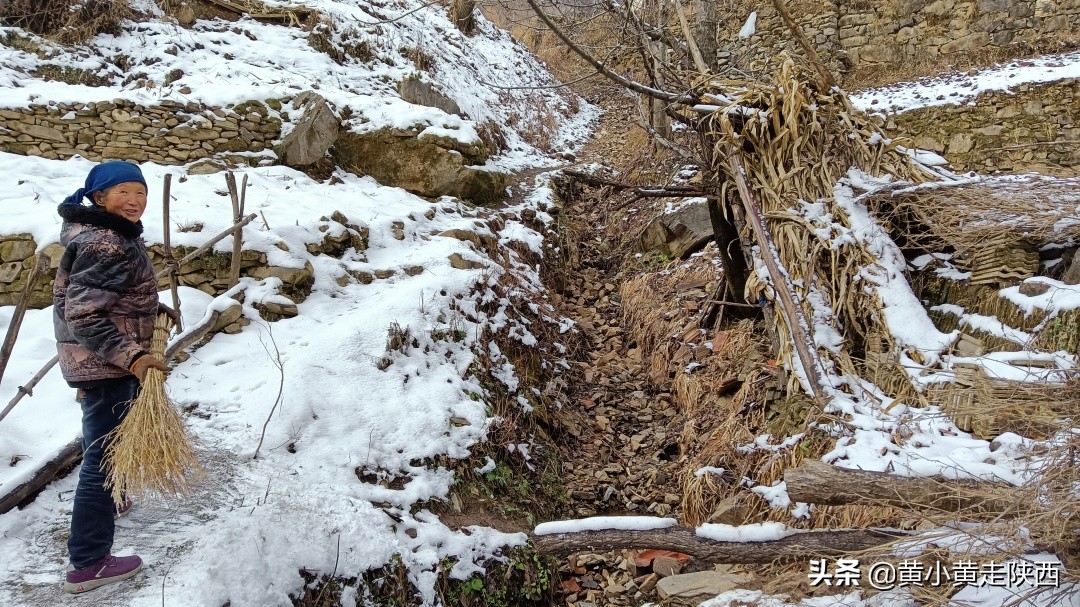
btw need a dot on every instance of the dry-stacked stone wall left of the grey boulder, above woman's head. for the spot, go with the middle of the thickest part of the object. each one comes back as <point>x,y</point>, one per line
<point>170,133</point>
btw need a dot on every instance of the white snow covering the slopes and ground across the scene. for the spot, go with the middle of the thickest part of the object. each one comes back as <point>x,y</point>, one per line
<point>333,413</point>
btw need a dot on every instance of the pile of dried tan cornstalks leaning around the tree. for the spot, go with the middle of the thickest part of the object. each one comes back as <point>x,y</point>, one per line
<point>798,140</point>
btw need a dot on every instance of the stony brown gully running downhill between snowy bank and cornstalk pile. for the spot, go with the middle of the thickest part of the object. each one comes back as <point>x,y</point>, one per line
<point>624,462</point>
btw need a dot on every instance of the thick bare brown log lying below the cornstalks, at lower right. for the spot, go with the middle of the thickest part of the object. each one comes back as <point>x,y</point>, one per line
<point>817,482</point>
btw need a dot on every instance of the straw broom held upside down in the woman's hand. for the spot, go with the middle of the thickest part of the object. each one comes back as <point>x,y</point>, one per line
<point>151,451</point>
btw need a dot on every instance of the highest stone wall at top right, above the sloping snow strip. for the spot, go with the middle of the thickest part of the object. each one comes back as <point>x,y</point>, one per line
<point>859,34</point>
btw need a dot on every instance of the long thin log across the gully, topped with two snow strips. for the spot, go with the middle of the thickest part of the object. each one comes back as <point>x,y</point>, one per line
<point>795,547</point>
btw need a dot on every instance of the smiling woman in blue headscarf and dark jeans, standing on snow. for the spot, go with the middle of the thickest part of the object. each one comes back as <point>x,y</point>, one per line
<point>105,301</point>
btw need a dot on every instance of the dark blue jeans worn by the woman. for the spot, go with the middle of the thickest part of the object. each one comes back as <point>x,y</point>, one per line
<point>93,511</point>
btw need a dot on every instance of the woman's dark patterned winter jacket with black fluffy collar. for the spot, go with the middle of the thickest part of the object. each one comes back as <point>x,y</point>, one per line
<point>105,296</point>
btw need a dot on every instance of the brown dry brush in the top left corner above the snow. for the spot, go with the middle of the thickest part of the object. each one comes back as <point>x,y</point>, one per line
<point>65,21</point>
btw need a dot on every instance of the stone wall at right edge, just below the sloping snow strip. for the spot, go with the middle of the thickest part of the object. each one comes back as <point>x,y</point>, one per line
<point>1034,128</point>
